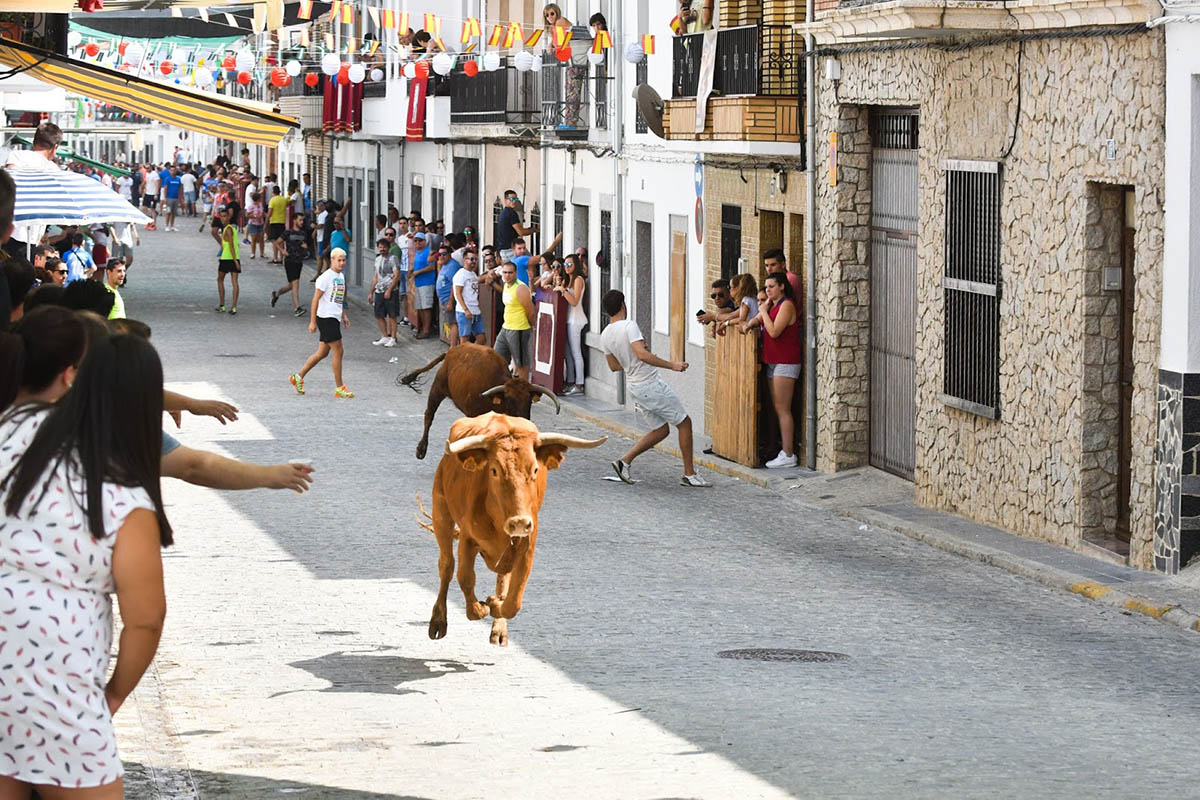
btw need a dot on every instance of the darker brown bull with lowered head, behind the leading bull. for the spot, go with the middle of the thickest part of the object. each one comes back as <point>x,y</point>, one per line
<point>477,381</point>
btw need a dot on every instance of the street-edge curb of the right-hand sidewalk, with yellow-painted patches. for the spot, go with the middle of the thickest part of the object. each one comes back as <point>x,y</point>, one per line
<point>1047,576</point>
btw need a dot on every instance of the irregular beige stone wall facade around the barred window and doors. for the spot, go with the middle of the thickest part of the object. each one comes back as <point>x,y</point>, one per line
<point>1023,472</point>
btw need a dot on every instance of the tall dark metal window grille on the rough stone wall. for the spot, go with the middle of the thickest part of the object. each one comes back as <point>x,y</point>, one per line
<point>971,288</point>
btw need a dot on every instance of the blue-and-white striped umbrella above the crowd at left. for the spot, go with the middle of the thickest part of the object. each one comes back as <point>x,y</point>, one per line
<point>59,197</point>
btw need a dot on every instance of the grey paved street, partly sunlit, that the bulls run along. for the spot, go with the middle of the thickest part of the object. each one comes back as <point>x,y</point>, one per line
<point>296,658</point>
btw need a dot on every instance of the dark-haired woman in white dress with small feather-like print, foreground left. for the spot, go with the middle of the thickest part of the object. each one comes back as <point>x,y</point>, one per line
<point>83,519</point>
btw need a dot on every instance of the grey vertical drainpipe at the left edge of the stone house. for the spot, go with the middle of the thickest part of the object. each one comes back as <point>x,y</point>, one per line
<point>811,249</point>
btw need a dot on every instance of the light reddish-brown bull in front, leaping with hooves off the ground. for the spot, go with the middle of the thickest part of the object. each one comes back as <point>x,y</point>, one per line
<point>488,492</point>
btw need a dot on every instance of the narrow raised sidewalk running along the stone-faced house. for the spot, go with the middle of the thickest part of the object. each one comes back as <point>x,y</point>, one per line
<point>885,502</point>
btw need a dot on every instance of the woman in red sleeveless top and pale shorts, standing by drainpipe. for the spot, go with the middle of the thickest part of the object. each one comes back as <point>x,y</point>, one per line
<point>783,353</point>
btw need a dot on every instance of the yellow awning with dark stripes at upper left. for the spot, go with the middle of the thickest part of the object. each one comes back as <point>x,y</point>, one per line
<point>195,111</point>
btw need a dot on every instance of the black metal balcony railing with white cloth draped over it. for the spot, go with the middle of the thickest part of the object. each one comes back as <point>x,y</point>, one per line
<point>751,61</point>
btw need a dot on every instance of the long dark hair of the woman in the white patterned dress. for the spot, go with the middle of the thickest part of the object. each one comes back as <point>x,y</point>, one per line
<point>110,423</point>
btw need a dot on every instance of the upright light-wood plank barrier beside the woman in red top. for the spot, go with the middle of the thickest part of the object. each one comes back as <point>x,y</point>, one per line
<point>736,399</point>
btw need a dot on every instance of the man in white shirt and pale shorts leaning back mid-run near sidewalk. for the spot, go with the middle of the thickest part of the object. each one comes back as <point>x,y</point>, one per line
<point>626,351</point>
